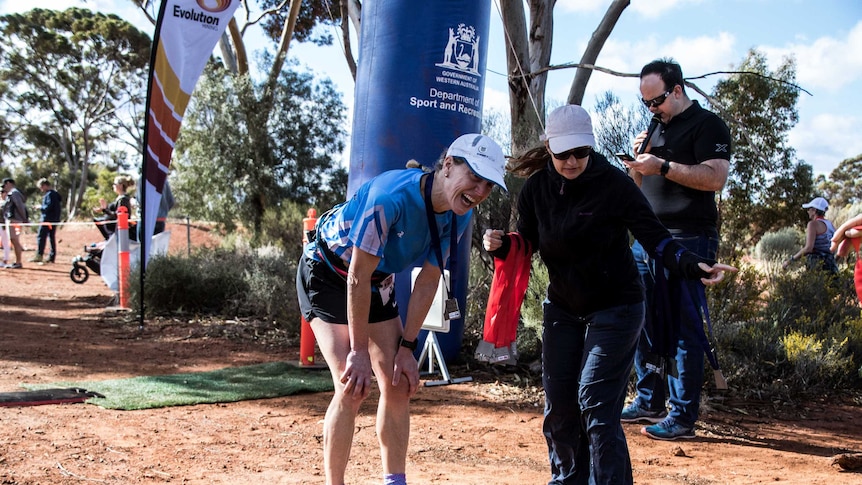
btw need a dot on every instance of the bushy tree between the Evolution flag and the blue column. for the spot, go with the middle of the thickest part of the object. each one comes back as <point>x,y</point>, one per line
<point>222,178</point>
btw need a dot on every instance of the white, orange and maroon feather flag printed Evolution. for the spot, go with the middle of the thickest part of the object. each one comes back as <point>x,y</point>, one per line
<point>185,36</point>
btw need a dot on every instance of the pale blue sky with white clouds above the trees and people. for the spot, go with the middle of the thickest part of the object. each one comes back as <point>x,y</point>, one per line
<point>824,36</point>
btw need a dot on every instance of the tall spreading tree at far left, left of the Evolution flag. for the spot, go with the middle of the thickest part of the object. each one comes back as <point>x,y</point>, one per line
<point>70,78</point>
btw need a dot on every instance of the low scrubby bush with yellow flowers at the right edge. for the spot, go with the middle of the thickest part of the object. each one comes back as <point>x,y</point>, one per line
<point>801,335</point>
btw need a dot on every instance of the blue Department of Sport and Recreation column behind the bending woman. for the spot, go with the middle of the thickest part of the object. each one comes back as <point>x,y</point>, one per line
<point>419,85</point>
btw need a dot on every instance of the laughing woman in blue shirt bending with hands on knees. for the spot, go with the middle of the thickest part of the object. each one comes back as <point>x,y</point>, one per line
<point>345,285</point>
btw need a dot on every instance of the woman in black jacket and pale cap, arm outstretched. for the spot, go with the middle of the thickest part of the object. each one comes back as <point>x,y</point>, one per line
<point>577,210</point>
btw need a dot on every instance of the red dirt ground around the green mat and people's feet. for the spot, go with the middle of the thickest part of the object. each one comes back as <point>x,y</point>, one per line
<point>487,431</point>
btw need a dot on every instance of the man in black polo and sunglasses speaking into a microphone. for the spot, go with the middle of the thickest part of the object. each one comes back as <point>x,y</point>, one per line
<point>685,164</point>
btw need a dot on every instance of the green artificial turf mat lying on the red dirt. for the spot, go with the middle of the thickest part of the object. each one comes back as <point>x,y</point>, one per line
<point>232,384</point>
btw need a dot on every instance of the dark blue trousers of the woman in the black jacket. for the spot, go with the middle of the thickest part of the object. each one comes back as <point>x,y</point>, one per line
<point>586,444</point>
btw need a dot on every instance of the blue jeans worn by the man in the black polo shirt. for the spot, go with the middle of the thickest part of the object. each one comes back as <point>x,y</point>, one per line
<point>683,390</point>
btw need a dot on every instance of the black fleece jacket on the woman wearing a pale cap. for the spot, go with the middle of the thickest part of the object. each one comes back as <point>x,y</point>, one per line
<point>580,228</point>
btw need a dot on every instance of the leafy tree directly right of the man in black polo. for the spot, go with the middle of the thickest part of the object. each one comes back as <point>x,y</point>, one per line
<point>767,184</point>
